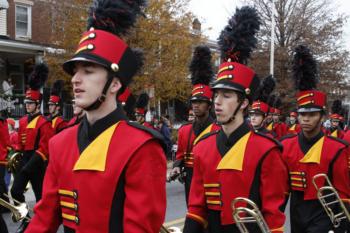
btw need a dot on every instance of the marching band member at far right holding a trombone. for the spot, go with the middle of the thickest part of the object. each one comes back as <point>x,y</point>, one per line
<point>312,152</point>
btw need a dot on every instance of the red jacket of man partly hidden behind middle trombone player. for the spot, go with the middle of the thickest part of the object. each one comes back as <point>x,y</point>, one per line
<point>186,140</point>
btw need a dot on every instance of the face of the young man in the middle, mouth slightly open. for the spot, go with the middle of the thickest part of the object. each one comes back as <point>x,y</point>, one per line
<point>225,103</point>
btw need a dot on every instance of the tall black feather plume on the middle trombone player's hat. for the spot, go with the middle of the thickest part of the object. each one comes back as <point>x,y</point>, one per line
<point>238,40</point>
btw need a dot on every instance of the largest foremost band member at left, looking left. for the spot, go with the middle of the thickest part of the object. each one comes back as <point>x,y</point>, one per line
<point>105,174</point>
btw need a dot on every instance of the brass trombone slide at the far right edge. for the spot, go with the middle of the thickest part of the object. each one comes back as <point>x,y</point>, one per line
<point>328,196</point>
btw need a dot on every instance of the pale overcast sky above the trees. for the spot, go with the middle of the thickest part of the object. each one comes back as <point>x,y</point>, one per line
<point>215,13</point>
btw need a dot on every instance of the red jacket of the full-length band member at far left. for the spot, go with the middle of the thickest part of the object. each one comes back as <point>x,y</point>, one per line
<point>35,135</point>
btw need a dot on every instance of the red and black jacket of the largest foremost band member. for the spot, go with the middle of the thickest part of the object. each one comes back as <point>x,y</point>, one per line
<point>108,177</point>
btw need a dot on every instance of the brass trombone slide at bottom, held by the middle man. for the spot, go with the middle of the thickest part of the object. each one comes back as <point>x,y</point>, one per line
<point>248,214</point>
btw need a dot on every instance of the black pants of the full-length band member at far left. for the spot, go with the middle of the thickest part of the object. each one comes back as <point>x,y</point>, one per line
<point>23,176</point>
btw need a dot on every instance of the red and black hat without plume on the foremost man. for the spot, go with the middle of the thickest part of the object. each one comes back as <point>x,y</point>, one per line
<point>106,49</point>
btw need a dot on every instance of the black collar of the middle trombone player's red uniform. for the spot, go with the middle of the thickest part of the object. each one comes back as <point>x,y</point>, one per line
<point>224,143</point>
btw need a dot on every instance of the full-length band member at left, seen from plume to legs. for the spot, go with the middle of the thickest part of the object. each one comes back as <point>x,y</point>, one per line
<point>33,136</point>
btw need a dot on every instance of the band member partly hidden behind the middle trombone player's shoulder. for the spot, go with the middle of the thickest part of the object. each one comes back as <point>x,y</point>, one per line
<point>201,102</point>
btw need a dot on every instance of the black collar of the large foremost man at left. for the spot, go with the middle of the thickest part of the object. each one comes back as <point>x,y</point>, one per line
<point>87,133</point>
